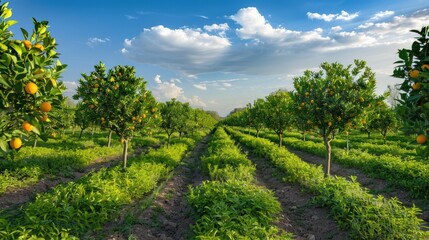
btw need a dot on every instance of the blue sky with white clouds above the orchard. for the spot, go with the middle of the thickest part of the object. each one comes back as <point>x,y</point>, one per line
<point>219,55</point>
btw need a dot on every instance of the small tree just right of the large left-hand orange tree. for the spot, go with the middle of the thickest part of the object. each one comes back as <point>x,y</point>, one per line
<point>173,115</point>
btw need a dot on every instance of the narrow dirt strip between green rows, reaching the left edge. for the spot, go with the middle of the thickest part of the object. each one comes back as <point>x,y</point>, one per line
<point>16,197</point>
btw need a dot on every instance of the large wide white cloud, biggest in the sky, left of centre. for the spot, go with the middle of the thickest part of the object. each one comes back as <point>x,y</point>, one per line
<point>172,48</point>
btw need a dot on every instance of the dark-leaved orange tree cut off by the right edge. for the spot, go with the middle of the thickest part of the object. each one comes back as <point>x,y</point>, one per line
<point>414,102</point>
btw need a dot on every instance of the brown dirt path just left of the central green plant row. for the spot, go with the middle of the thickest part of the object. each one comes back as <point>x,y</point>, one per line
<point>168,215</point>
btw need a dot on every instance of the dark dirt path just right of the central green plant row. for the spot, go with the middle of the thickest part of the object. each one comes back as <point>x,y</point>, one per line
<point>299,216</point>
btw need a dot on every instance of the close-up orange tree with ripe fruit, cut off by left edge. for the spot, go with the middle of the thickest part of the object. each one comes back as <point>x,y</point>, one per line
<point>28,80</point>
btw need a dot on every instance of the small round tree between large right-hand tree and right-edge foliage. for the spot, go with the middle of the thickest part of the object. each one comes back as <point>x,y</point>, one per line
<point>384,120</point>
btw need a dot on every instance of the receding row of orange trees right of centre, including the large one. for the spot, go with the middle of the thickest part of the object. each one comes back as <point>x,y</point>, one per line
<point>334,99</point>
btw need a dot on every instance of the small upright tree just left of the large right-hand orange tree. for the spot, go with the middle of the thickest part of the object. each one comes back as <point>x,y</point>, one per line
<point>278,112</point>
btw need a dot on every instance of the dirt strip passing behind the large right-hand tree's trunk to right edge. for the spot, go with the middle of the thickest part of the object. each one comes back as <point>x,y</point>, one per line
<point>375,186</point>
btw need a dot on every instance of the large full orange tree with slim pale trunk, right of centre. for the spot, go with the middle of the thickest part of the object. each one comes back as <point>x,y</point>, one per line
<point>333,97</point>
